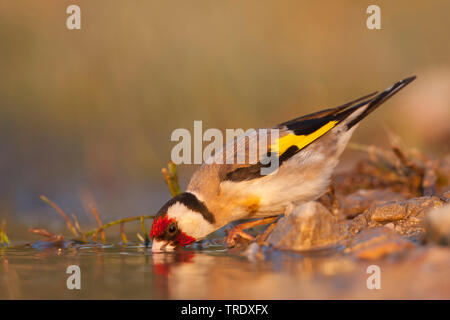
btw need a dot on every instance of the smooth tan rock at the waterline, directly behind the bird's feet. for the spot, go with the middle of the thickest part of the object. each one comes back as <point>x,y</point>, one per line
<point>308,226</point>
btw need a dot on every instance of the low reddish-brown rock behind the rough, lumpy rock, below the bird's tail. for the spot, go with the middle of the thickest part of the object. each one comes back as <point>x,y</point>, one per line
<point>361,200</point>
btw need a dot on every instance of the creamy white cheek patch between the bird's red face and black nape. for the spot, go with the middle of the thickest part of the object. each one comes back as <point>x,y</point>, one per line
<point>190,222</point>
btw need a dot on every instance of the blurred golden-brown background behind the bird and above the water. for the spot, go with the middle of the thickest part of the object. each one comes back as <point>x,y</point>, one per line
<point>86,115</point>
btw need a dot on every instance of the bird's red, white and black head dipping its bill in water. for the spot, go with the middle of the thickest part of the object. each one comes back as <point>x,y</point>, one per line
<point>181,221</point>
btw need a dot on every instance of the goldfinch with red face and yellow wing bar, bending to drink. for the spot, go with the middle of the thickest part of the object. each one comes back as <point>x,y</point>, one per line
<point>307,150</point>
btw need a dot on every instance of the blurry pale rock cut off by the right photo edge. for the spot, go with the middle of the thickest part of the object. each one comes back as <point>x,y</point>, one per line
<point>437,225</point>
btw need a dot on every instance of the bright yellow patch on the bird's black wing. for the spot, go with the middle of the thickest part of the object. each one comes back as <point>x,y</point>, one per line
<point>300,141</point>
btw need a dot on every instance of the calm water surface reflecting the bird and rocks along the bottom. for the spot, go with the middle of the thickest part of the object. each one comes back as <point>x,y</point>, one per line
<point>134,272</point>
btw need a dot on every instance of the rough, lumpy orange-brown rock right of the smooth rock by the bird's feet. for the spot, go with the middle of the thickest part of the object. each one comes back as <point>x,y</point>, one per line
<point>405,217</point>
